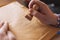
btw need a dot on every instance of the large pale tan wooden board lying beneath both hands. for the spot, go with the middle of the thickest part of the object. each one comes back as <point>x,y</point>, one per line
<point>24,29</point>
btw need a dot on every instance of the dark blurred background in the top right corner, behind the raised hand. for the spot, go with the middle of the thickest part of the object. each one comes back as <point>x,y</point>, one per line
<point>56,8</point>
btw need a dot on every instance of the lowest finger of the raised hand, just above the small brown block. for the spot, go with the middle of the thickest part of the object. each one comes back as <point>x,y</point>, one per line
<point>39,16</point>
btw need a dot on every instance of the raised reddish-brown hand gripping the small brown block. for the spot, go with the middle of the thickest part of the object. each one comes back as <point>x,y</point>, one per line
<point>45,15</point>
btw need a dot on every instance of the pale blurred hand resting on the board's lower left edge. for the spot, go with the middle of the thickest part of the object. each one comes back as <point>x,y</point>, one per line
<point>4,33</point>
